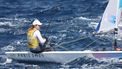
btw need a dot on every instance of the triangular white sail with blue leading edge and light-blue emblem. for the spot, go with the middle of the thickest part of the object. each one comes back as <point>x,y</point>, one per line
<point>108,21</point>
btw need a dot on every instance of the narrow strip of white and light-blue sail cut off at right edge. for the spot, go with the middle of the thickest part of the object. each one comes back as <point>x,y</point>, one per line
<point>119,20</point>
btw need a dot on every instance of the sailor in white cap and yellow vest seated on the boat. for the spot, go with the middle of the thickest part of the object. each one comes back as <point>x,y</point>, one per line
<point>35,40</point>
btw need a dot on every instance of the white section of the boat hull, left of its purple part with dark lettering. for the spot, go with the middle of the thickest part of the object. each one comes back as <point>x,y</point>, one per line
<point>56,57</point>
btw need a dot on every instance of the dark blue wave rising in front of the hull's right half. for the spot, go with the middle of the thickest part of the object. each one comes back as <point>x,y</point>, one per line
<point>93,63</point>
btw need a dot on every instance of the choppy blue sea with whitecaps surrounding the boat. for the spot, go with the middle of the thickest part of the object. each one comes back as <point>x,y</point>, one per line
<point>66,23</point>
